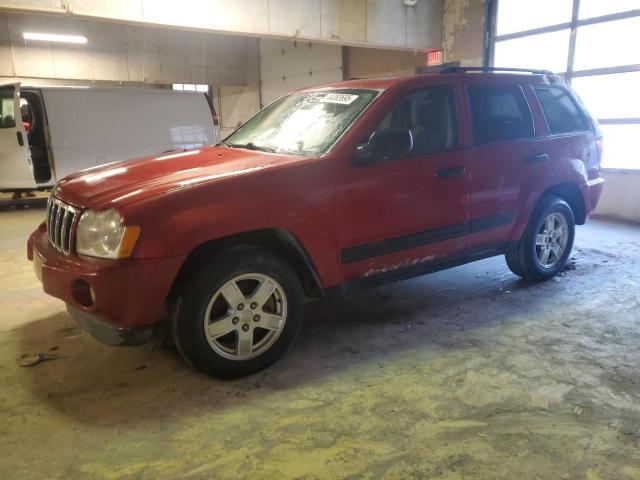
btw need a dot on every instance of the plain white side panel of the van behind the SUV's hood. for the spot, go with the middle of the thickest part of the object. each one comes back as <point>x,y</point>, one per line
<point>90,127</point>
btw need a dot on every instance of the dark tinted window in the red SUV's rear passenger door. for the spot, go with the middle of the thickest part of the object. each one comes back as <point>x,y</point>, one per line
<point>500,113</point>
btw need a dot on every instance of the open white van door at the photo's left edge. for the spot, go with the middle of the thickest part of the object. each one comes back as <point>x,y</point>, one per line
<point>16,172</point>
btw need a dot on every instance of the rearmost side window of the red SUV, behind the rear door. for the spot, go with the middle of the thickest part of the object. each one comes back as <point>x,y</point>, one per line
<point>562,113</point>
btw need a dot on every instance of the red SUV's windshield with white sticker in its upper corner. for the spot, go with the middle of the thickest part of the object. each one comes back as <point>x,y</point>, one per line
<point>305,123</point>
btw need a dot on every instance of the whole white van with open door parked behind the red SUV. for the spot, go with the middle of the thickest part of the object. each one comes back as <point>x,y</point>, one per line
<point>46,133</point>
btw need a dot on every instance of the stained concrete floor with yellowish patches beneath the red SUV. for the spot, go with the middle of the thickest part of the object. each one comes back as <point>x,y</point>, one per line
<point>463,374</point>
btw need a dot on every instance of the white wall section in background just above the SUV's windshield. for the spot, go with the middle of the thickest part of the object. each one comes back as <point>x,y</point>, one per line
<point>287,65</point>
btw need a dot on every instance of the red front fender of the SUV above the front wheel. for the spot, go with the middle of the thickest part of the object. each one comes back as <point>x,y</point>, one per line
<point>298,199</point>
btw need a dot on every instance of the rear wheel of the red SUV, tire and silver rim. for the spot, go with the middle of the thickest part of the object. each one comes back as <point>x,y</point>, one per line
<point>527,258</point>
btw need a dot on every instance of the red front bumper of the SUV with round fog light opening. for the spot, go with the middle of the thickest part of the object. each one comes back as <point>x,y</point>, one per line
<point>117,301</point>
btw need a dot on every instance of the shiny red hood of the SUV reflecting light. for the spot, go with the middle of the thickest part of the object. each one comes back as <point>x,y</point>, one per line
<point>134,180</point>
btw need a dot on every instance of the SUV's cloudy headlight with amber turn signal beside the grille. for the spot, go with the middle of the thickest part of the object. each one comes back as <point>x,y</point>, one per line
<point>103,234</point>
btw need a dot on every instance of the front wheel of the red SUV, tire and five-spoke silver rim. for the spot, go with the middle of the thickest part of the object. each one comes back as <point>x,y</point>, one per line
<point>218,293</point>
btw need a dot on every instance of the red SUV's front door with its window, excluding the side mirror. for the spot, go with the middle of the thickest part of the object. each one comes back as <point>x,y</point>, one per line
<point>409,211</point>
